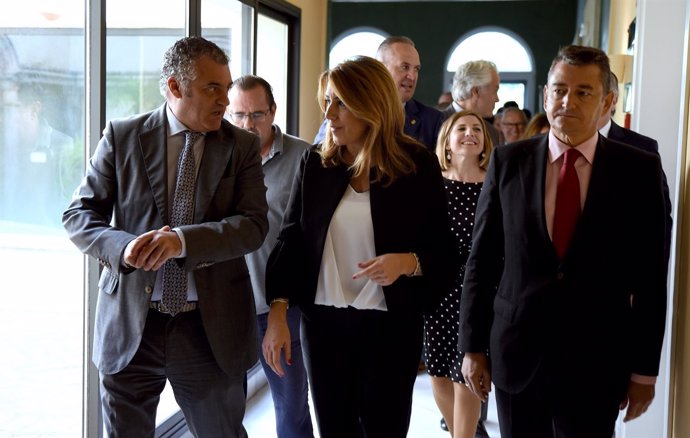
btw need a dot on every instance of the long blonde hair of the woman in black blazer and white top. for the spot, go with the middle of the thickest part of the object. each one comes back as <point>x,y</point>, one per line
<point>366,88</point>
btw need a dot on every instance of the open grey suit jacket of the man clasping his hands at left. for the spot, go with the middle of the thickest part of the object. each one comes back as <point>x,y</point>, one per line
<point>124,194</point>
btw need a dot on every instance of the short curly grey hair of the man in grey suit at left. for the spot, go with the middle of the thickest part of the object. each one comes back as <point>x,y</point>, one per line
<point>179,61</point>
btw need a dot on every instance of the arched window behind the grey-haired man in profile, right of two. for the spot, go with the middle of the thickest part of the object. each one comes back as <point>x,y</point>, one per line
<point>512,57</point>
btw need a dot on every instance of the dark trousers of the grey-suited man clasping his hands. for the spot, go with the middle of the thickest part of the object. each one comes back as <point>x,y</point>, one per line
<point>174,349</point>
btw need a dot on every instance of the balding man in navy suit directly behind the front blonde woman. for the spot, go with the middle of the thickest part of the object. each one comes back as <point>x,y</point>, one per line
<point>399,55</point>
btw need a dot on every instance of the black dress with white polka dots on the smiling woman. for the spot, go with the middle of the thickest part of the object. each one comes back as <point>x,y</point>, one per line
<point>441,326</point>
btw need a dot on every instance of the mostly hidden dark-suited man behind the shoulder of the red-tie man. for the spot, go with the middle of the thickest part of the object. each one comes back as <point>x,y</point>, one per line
<point>610,129</point>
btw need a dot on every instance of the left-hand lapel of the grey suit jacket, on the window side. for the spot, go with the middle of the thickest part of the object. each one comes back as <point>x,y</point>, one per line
<point>153,145</point>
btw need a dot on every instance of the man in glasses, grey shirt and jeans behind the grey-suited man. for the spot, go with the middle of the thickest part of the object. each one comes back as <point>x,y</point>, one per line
<point>252,107</point>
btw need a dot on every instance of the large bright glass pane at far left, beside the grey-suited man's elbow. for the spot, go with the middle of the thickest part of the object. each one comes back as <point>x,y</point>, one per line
<point>41,162</point>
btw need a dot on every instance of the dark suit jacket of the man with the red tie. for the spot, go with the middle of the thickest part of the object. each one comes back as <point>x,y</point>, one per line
<point>606,298</point>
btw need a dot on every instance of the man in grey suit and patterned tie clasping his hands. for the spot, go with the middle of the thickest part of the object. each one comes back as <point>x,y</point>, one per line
<point>125,214</point>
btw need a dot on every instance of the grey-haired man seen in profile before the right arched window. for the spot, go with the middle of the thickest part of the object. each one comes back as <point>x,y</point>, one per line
<point>475,88</point>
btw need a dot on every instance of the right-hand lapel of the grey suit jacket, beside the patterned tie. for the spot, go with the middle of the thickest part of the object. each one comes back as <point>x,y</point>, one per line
<point>218,149</point>
